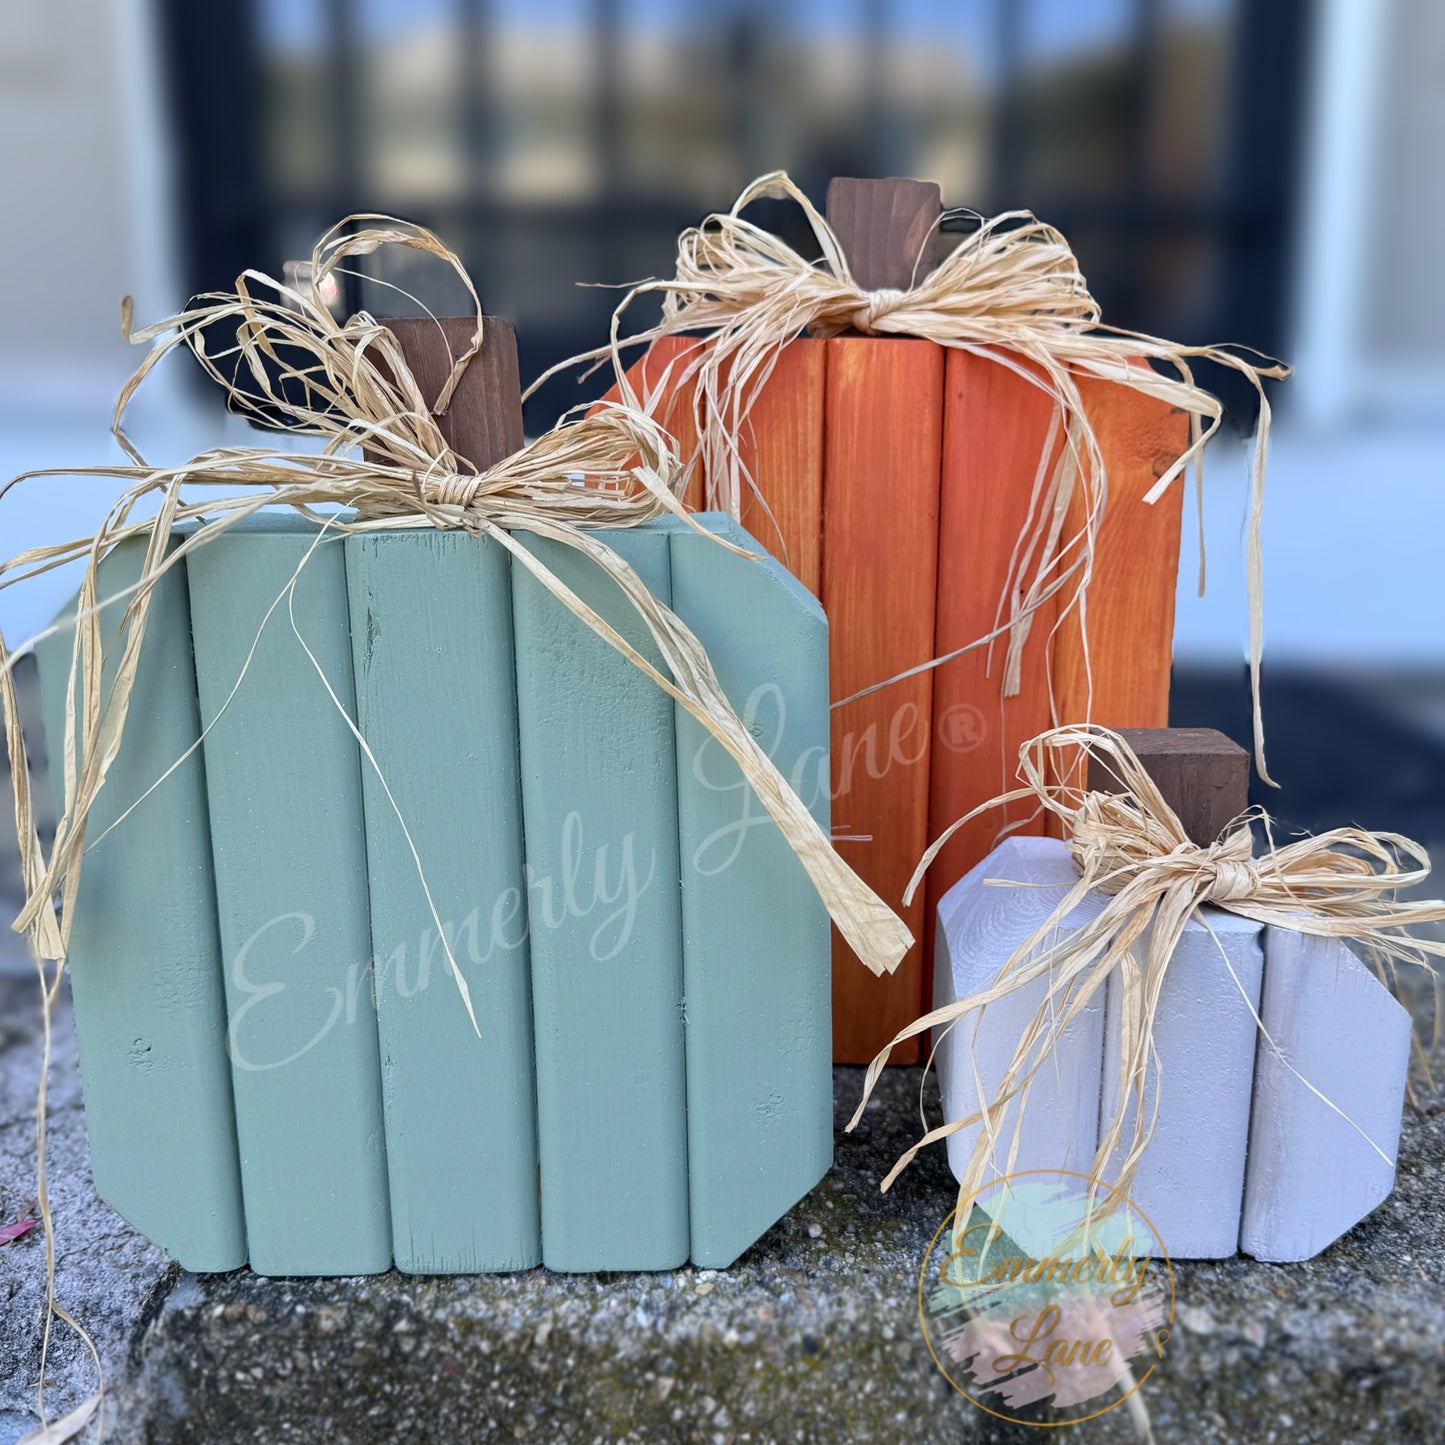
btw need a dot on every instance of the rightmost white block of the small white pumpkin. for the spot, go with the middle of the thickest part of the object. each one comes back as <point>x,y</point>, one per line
<point>1313,1173</point>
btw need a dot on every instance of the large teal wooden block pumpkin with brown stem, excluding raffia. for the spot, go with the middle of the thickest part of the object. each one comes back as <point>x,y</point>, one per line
<point>280,1067</point>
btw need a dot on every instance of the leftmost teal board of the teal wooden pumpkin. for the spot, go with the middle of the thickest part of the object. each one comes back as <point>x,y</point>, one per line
<point>145,960</point>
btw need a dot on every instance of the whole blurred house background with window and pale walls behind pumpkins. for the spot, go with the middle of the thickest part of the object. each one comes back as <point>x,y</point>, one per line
<point>1254,171</point>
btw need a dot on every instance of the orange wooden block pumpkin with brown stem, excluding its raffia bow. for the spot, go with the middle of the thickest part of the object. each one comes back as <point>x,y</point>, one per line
<point>928,465</point>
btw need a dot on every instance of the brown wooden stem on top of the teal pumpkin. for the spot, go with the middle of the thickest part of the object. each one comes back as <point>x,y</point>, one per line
<point>483,423</point>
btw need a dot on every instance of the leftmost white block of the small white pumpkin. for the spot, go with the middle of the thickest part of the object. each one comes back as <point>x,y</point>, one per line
<point>979,927</point>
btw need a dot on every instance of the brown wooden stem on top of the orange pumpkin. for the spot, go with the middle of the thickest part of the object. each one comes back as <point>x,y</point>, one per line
<point>887,228</point>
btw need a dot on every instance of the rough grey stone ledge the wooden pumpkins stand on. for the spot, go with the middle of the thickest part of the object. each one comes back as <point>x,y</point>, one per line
<point>811,1337</point>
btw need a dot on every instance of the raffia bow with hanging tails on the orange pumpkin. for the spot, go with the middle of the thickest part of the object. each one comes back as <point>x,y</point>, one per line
<point>1011,293</point>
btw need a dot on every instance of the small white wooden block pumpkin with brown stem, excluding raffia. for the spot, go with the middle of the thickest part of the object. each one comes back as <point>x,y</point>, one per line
<point>1271,1142</point>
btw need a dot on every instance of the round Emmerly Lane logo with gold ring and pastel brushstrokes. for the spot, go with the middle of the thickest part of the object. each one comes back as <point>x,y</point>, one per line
<point>1047,1300</point>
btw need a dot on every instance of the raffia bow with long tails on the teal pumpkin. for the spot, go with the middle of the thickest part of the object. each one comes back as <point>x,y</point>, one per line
<point>349,384</point>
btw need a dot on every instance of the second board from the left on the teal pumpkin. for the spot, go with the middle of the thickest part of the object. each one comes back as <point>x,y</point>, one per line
<point>287,829</point>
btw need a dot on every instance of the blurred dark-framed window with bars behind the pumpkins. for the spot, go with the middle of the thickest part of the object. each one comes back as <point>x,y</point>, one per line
<point>567,141</point>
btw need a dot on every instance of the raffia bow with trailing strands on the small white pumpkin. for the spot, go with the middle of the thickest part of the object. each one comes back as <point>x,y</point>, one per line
<point>1132,847</point>
